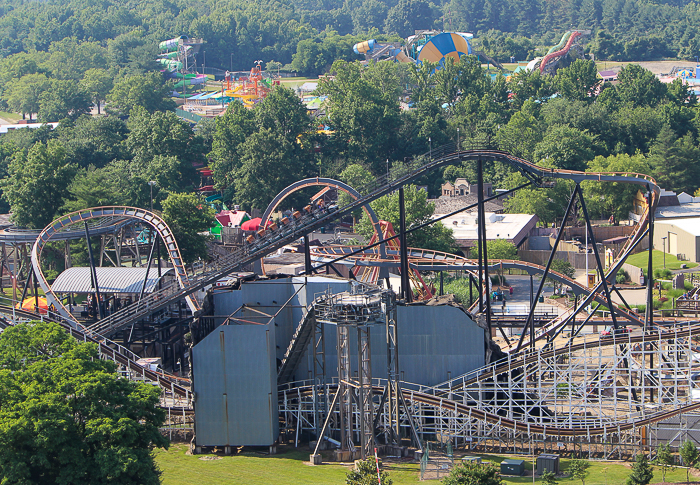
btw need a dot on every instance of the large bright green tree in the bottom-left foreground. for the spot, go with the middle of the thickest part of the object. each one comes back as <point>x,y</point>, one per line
<point>67,417</point>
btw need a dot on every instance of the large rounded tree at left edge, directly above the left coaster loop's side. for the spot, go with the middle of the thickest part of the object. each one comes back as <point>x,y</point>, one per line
<point>37,184</point>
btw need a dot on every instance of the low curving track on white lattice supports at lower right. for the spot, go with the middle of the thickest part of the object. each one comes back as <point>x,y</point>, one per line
<point>443,396</point>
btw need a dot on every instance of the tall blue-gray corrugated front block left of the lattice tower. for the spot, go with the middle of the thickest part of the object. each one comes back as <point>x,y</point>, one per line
<point>235,381</point>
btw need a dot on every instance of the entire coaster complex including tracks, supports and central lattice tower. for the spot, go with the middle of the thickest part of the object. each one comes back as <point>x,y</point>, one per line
<point>608,393</point>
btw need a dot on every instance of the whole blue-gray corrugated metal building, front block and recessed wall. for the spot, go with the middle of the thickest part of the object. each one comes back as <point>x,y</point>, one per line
<point>435,343</point>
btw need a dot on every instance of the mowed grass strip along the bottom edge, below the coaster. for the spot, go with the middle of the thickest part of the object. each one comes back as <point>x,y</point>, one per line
<point>289,468</point>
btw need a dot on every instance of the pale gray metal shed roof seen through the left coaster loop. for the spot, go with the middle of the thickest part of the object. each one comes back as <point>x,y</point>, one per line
<point>109,280</point>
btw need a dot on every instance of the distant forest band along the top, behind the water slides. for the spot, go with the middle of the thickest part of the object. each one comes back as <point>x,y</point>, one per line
<point>308,35</point>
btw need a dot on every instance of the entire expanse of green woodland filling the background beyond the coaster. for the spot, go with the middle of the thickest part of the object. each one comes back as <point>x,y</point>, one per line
<point>61,58</point>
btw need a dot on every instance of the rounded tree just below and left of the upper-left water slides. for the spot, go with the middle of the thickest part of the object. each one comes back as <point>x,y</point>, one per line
<point>146,90</point>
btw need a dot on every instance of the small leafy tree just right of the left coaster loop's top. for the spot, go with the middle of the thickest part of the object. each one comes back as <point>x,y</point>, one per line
<point>187,217</point>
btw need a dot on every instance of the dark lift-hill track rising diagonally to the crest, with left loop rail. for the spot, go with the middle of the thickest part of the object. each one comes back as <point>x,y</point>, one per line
<point>272,240</point>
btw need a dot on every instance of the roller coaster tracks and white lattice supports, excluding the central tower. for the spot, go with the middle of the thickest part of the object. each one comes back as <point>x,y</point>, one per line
<point>613,389</point>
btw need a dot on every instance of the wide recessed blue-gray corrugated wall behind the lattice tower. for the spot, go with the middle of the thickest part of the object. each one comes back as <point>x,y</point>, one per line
<point>433,340</point>
